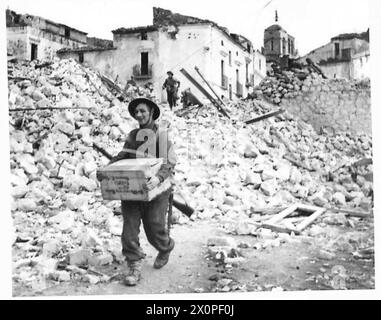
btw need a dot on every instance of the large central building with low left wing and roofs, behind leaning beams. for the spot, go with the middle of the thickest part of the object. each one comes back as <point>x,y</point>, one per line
<point>228,61</point>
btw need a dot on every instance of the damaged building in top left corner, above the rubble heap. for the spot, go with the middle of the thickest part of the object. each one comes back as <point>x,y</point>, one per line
<point>31,37</point>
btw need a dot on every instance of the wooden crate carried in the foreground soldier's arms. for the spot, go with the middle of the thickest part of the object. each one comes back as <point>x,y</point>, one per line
<point>124,179</point>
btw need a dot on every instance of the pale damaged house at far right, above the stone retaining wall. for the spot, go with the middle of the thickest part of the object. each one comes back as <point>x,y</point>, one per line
<point>345,56</point>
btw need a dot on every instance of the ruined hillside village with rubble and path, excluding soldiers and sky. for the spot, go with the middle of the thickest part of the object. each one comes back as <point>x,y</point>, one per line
<point>267,131</point>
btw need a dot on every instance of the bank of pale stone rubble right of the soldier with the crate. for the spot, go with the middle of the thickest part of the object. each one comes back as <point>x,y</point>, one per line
<point>230,167</point>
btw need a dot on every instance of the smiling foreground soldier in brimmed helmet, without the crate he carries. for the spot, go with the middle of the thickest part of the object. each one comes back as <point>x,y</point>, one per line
<point>147,141</point>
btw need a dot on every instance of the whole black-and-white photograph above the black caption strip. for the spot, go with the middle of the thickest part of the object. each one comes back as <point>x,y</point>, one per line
<point>202,147</point>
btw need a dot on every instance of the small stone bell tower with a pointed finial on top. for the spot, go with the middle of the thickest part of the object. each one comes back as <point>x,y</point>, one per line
<point>278,43</point>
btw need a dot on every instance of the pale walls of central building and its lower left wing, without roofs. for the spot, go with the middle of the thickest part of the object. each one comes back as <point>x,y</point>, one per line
<point>186,46</point>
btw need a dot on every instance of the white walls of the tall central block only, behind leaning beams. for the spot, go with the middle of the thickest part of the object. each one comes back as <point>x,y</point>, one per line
<point>209,46</point>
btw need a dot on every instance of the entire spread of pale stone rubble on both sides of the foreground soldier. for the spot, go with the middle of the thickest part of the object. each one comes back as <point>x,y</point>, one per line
<point>225,168</point>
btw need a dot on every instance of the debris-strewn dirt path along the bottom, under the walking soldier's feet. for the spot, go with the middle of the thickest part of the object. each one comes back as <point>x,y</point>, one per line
<point>292,266</point>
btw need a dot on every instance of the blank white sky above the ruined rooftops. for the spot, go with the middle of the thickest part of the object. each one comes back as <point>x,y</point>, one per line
<point>311,22</point>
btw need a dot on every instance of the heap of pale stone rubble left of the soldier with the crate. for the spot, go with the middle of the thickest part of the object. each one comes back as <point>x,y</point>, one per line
<point>58,214</point>
